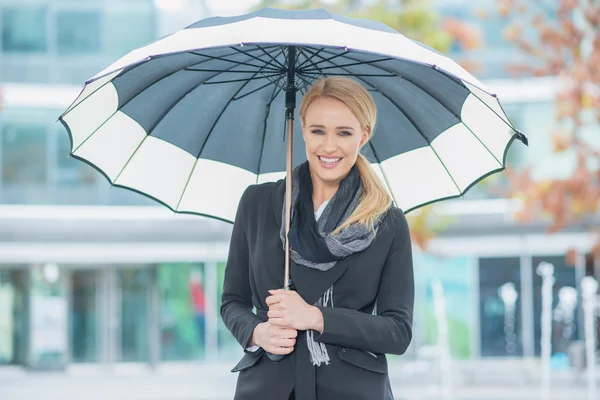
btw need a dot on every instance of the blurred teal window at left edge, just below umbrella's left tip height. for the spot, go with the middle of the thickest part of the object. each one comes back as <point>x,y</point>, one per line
<point>23,154</point>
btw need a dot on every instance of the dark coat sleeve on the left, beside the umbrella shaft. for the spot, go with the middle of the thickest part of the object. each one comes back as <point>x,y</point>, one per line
<point>236,300</point>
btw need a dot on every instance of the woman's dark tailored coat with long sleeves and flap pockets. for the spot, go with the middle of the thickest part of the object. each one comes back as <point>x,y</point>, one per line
<point>356,340</point>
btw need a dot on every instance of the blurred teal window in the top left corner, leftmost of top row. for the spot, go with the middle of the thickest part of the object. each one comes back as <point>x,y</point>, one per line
<point>24,30</point>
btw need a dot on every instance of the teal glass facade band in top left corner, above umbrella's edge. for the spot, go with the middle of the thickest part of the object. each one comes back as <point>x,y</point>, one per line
<point>67,42</point>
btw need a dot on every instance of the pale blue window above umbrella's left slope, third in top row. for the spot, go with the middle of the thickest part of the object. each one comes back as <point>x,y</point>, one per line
<point>128,30</point>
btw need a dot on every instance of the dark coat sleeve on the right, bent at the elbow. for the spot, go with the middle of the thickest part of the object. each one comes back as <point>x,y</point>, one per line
<point>389,331</point>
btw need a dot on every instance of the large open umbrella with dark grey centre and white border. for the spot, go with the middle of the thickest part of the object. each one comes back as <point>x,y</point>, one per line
<point>193,118</point>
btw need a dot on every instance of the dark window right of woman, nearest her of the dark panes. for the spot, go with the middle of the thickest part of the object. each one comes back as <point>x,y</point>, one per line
<point>500,307</point>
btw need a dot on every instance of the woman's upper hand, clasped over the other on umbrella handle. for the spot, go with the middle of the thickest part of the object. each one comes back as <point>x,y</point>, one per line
<point>288,309</point>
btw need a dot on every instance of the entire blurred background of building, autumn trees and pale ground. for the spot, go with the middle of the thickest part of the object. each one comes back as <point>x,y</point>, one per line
<point>106,294</point>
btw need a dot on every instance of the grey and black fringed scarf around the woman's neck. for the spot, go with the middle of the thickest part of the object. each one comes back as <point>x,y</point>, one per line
<point>306,236</point>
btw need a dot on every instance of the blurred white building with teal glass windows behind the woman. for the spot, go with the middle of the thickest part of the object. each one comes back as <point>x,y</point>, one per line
<point>94,274</point>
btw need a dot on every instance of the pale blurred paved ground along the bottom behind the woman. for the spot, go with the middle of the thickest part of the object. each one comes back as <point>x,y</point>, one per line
<point>411,381</point>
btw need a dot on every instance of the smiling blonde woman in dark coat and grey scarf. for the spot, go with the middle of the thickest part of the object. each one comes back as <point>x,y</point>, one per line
<point>351,255</point>
